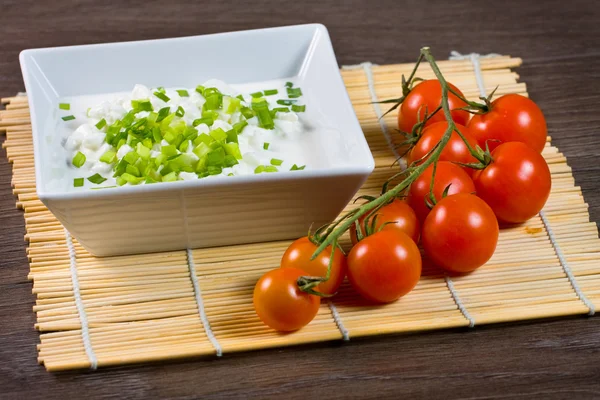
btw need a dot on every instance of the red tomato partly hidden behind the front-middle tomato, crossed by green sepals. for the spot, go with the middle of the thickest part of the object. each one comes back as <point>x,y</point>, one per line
<point>397,216</point>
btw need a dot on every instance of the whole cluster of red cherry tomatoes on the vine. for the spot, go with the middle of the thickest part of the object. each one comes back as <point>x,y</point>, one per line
<point>489,175</point>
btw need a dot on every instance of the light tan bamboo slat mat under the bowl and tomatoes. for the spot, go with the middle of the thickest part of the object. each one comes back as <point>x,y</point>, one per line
<point>147,307</point>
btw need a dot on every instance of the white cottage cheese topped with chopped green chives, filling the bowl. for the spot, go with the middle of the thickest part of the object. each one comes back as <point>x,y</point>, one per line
<point>287,146</point>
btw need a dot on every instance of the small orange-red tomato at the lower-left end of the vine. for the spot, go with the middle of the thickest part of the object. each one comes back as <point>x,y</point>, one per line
<point>279,302</point>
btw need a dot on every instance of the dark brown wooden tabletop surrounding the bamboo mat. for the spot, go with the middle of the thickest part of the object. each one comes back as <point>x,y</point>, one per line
<point>560,44</point>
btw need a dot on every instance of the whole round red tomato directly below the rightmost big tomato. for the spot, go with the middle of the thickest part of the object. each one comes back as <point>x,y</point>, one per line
<point>460,233</point>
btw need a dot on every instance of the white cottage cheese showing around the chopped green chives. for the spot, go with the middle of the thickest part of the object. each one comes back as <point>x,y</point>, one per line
<point>290,141</point>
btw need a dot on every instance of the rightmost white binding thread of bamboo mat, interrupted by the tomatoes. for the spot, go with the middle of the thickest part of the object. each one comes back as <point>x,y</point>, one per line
<point>474,57</point>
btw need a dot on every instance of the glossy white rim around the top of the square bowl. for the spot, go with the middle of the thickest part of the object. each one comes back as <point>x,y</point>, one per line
<point>363,169</point>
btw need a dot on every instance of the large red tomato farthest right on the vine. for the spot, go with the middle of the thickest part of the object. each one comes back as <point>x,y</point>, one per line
<point>516,184</point>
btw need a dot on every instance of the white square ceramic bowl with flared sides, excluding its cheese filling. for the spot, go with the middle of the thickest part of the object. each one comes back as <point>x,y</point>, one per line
<point>205,212</point>
